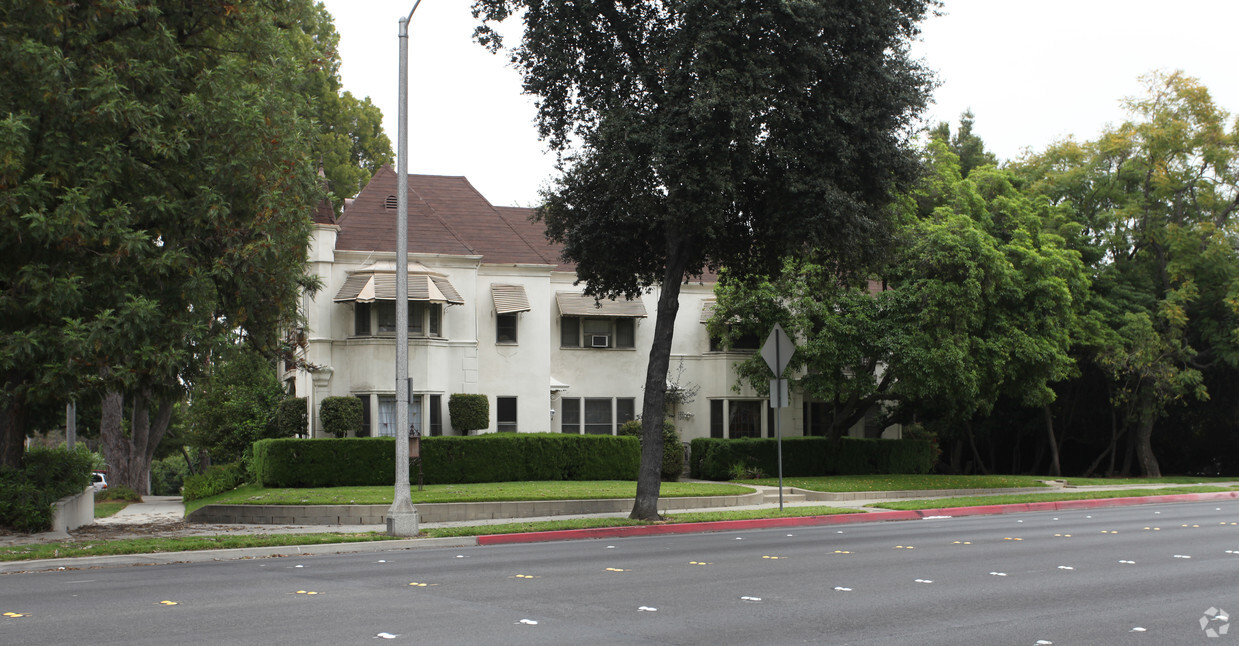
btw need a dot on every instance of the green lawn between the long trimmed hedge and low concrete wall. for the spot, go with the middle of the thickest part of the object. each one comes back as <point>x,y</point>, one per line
<point>471,493</point>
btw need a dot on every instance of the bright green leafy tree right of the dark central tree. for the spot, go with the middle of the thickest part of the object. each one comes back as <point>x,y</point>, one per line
<point>981,299</point>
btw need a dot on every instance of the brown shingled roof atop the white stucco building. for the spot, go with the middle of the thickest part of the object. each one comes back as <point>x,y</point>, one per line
<point>447,216</point>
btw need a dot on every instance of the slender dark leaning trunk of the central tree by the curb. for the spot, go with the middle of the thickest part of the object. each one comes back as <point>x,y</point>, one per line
<point>652,412</point>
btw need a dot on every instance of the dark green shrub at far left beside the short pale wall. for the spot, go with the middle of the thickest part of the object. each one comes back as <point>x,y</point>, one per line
<point>48,476</point>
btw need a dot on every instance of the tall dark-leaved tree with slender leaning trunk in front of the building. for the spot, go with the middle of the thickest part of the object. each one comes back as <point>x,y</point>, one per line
<point>716,133</point>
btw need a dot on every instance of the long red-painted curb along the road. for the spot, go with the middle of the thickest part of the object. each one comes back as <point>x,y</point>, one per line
<point>842,519</point>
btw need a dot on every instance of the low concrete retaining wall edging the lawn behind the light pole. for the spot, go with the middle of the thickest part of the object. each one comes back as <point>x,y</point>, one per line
<point>445,511</point>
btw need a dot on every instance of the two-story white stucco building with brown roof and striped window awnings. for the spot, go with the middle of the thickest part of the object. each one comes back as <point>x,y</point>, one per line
<point>494,312</point>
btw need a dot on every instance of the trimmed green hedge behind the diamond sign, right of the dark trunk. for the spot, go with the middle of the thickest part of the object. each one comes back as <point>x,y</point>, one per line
<point>713,459</point>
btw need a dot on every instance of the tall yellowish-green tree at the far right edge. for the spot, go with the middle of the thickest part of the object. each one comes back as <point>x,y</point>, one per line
<point>1158,198</point>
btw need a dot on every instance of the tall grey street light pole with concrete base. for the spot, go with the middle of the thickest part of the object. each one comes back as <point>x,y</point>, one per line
<point>403,516</point>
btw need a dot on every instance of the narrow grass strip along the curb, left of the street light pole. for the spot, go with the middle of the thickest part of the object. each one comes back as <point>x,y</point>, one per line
<point>188,544</point>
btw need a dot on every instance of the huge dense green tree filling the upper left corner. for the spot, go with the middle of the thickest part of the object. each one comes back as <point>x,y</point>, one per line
<point>157,179</point>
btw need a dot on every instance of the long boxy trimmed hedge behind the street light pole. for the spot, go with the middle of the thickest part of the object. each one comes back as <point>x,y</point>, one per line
<point>491,458</point>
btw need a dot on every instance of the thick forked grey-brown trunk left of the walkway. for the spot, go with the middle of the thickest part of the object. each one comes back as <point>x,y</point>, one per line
<point>129,457</point>
